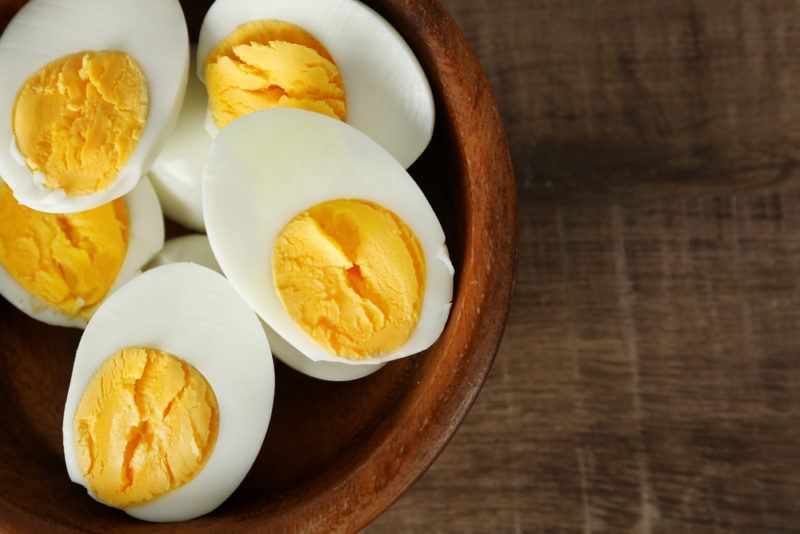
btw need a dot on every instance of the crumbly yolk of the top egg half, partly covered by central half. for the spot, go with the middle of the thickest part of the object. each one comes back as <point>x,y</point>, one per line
<point>269,63</point>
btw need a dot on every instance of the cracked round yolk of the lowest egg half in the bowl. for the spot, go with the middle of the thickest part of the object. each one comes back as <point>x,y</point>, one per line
<point>145,425</point>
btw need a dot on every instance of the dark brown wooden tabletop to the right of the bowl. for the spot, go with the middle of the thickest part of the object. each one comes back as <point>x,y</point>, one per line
<point>649,379</point>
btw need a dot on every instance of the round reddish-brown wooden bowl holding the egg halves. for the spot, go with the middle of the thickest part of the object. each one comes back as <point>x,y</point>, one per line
<point>336,454</point>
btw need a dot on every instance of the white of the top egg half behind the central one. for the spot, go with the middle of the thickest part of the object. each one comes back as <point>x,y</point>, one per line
<point>388,96</point>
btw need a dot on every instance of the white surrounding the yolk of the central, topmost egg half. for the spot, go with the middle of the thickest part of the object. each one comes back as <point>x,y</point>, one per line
<point>267,167</point>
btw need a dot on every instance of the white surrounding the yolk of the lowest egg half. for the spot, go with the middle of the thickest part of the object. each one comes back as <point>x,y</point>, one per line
<point>193,313</point>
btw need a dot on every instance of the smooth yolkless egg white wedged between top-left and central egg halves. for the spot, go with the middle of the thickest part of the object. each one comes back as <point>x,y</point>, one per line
<point>178,169</point>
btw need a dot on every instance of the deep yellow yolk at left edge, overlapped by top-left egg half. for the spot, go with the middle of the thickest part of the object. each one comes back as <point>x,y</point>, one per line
<point>68,261</point>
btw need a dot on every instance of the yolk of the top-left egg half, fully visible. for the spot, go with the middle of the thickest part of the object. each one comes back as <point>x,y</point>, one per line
<point>78,119</point>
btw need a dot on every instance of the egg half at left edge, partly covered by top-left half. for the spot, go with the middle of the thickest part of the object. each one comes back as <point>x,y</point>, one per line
<point>57,268</point>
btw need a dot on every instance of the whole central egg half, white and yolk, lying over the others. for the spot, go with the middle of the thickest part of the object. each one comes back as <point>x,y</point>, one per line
<point>327,237</point>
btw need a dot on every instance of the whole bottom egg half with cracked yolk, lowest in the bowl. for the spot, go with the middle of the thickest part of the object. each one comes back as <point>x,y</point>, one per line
<point>170,396</point>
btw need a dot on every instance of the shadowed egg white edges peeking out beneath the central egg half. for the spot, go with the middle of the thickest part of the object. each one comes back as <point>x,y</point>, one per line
<point>197,249</point>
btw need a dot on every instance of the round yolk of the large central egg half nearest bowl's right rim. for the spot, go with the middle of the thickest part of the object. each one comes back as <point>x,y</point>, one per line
<point>352,275</point>
